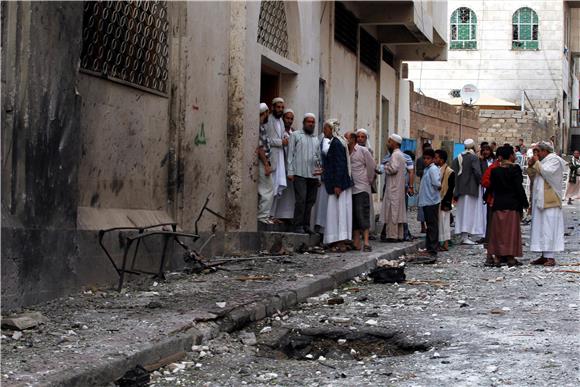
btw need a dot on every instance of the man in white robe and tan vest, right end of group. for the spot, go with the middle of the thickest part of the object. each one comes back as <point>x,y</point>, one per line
<point>547,232</point>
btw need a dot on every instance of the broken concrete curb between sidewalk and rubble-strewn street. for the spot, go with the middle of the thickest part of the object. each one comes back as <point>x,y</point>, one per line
<point>114,365</point>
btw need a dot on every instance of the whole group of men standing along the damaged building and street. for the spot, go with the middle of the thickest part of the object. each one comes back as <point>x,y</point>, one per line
<point>336,175</point>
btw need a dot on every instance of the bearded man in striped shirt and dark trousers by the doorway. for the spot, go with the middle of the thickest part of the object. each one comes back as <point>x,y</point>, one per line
<point>304,171</point>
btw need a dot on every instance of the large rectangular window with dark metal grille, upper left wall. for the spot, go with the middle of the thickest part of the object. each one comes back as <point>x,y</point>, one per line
<point>127,42</point>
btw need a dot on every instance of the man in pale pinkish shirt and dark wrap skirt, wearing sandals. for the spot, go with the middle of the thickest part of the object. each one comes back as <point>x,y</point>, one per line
<point>362,173</point>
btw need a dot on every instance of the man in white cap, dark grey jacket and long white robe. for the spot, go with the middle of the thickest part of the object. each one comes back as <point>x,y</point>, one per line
<point>468,193</point>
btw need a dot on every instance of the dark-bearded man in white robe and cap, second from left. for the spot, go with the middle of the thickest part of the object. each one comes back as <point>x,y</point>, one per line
<point>275,130</point>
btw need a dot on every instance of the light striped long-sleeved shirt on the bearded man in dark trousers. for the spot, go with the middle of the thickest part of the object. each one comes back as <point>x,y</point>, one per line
<point>303,154</point>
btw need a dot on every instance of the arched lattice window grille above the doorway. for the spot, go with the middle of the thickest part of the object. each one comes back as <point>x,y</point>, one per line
<point>272,27</point>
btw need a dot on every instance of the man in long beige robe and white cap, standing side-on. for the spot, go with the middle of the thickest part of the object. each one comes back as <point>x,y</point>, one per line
<point>393,212</point>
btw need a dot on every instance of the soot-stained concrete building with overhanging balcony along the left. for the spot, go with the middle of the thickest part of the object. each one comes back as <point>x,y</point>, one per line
<point>123,114</point>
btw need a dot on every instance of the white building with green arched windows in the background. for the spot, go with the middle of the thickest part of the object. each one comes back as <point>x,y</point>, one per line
<point>516,53</point>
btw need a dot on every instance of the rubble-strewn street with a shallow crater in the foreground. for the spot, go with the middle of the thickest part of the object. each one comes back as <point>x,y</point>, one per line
<point>454,323</point>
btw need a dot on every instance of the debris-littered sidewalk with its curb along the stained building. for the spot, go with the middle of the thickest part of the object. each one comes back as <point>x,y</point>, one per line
<point>93,338</point>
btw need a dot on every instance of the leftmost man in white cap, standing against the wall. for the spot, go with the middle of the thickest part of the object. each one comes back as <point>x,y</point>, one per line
<point>265,191</point>
